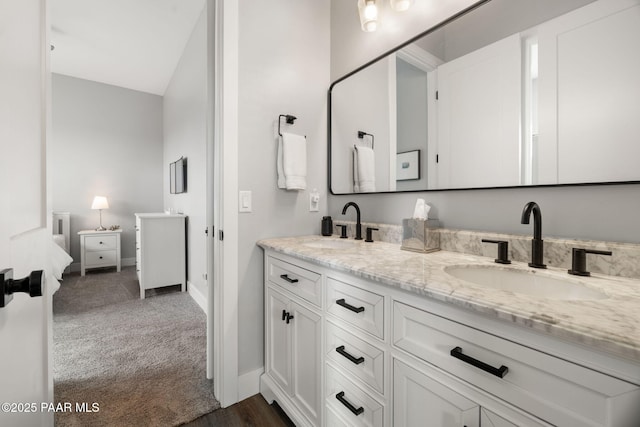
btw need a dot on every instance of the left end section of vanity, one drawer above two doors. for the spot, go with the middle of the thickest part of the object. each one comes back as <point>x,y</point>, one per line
<point>293,332</point>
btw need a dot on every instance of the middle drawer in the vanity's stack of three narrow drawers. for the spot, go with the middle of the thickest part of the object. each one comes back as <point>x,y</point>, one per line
<point>360,358</point>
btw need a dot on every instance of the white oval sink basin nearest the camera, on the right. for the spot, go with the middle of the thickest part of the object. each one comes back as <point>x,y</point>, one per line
<point>528,282</point>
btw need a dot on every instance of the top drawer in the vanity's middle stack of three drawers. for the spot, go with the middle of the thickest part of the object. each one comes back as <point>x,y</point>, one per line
<point>360,308</point>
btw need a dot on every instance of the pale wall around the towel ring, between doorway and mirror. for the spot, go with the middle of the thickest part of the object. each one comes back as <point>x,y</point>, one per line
<point>283,69</point>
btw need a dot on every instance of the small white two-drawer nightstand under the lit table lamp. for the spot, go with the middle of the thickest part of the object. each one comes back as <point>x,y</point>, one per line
<point>99,249</point>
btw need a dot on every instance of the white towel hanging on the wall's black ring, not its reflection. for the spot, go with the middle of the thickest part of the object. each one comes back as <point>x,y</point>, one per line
<point>292,162</point>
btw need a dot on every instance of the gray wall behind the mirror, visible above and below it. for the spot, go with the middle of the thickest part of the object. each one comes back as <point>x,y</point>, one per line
<point>584,212</point>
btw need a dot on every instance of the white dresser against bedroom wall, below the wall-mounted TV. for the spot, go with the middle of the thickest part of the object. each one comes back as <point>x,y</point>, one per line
<point>160,250</point>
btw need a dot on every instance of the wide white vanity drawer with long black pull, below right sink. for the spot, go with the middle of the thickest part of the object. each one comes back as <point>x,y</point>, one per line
<point>562,392</point>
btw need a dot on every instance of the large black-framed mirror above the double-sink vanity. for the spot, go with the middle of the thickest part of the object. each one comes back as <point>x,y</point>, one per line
<point>514,92</point>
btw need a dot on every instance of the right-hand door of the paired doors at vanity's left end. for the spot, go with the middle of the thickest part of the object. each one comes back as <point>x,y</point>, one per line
<point>306,329</point>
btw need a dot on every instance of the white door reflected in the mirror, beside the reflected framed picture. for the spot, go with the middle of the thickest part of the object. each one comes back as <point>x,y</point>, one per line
<point>479,102</point>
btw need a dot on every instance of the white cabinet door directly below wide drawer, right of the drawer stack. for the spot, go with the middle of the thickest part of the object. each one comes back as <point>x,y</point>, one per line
<point>419,400</point>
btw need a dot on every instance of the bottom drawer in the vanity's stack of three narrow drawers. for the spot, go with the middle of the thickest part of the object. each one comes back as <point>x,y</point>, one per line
<point>351,403</point>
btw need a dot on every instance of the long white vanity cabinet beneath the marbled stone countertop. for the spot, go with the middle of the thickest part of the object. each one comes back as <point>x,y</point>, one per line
<point>389,357</point>
